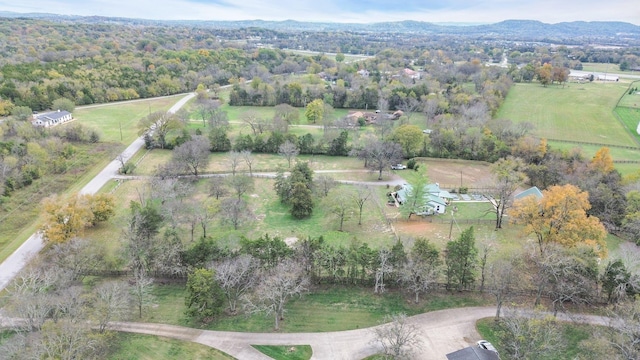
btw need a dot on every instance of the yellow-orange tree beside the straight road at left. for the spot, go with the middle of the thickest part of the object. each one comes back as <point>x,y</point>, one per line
<point>65,218</point>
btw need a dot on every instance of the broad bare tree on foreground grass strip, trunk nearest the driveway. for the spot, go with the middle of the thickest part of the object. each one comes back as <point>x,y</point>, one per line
<point>284,281</point>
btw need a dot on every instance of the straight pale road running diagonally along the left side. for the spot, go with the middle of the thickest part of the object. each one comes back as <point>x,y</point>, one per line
<point>16,261</point>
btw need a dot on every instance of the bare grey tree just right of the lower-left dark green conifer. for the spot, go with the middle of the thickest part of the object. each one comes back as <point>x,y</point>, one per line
<point>237,276</point>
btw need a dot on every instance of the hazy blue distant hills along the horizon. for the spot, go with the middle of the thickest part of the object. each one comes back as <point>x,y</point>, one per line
<point>609,32</point>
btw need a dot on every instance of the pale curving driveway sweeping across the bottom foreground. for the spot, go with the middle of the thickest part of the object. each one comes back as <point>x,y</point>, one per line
<point>442,332</point>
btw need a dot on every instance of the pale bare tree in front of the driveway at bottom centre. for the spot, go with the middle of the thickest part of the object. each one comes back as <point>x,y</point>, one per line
<point>399,338</point>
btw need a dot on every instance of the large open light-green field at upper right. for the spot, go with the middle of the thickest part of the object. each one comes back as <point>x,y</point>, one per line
<point>581,112</point>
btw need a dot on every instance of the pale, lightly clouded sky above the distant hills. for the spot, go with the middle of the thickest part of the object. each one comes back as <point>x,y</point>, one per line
<point>355,11</point>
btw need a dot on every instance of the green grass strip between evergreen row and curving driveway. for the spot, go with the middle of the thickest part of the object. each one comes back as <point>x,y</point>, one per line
<point>331,308</point>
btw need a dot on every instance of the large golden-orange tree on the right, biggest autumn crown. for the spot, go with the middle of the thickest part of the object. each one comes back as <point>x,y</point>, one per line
<point>560,216</point>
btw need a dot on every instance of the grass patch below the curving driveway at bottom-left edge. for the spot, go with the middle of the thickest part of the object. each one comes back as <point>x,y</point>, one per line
<point>146,347</point>
